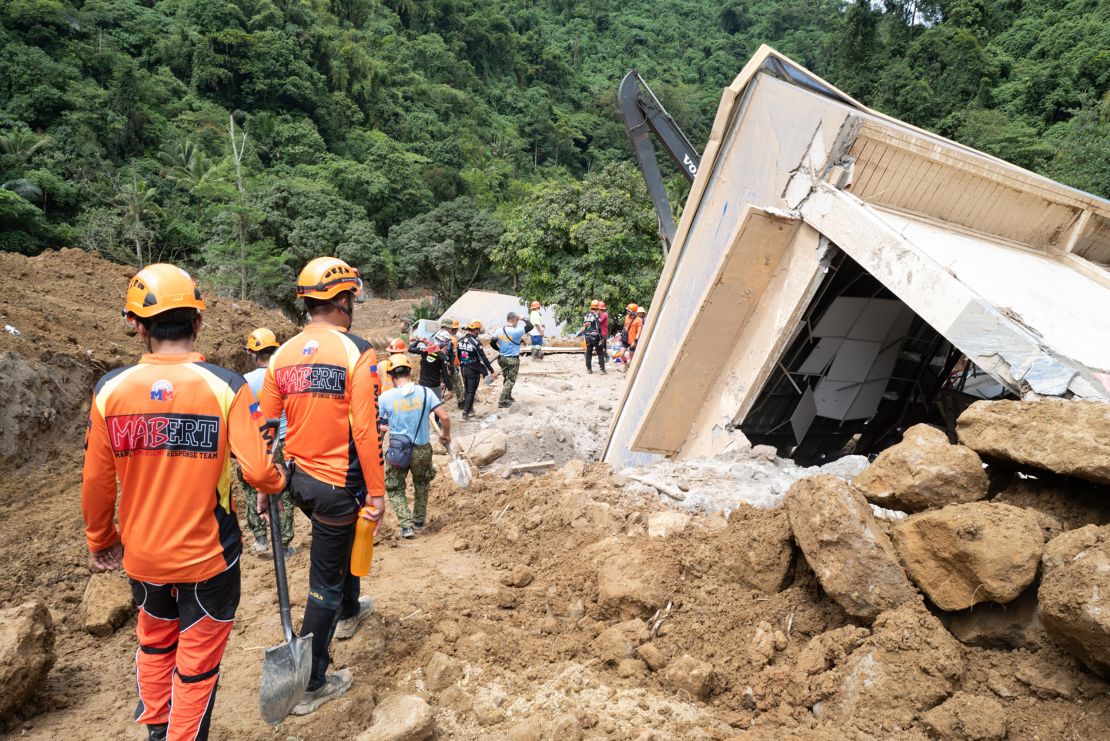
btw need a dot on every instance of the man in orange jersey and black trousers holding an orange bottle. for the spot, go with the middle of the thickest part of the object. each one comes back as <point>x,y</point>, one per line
<point>326,381</point>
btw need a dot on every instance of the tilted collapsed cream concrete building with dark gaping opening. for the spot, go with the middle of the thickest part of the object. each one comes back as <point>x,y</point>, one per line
<point>839,275</point>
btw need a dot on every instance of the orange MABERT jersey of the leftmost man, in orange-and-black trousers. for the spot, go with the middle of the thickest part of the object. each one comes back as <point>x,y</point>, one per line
<point>166,429</point>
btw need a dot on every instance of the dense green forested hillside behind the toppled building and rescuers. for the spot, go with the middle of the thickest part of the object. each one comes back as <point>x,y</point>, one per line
<point>470,143</point>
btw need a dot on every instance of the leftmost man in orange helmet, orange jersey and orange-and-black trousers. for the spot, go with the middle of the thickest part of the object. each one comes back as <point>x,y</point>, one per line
<point>166,429</point>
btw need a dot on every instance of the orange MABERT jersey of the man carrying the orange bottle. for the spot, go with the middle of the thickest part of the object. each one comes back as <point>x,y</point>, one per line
<point>327,383</point>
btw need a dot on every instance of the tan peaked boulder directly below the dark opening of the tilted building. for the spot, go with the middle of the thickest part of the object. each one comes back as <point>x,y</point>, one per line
<point>922,472</point>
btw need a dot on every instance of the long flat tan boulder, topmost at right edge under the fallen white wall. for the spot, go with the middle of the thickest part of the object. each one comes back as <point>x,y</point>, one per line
<point>1068,438</point>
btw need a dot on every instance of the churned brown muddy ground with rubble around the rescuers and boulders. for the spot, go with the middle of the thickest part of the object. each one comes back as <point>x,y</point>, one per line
<point>530,658</point>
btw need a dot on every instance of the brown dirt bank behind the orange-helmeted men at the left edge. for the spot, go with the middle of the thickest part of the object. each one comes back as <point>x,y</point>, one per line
<point>66,308</point>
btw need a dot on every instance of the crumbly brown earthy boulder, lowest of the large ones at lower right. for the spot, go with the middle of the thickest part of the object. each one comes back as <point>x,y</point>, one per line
<point>909,665</point>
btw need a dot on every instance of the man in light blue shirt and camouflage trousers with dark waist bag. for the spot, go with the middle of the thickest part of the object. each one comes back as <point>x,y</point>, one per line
<point>407,411</point>
